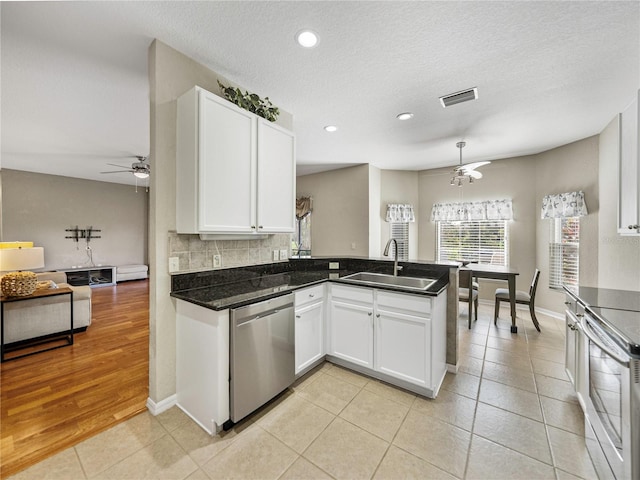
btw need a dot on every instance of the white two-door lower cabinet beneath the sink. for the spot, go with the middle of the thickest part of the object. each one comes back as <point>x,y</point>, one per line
<point>394,335</point>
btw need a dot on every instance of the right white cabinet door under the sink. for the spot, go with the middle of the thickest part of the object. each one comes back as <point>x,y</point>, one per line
<point>403,347</point>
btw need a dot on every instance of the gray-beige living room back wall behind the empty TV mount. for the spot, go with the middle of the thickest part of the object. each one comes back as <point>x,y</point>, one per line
<point>38,207</point>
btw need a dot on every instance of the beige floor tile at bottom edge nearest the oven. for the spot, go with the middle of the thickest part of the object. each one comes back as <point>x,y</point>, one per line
<point>570,453</point>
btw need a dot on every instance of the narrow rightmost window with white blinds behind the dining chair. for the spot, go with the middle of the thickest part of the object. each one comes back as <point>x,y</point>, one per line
<point>564,251</point>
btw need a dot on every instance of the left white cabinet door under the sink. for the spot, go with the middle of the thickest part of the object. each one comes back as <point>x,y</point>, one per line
<point>351,332</point>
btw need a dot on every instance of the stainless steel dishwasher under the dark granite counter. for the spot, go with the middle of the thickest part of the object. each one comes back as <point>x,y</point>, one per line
<point>262,353</point>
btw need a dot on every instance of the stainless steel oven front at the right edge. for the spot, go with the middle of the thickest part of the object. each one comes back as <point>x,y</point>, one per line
<point>612,401</point>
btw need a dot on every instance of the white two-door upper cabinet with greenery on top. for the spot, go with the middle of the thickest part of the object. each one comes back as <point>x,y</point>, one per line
<point>235,172</point>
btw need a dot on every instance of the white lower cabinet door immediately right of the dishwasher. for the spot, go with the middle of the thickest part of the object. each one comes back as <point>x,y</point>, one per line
<point>309,337</point>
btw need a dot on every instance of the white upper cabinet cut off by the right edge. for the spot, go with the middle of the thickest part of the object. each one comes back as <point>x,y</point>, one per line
<point>629,171</point>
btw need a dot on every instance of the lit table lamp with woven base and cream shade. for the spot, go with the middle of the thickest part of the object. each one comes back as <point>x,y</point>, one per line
<point>20,282</point>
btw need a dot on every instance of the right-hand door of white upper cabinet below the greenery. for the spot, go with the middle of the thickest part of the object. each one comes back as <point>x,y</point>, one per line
<point>276,179</point>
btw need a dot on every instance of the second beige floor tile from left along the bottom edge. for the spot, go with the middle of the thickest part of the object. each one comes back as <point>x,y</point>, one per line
<point>162,459</point>
